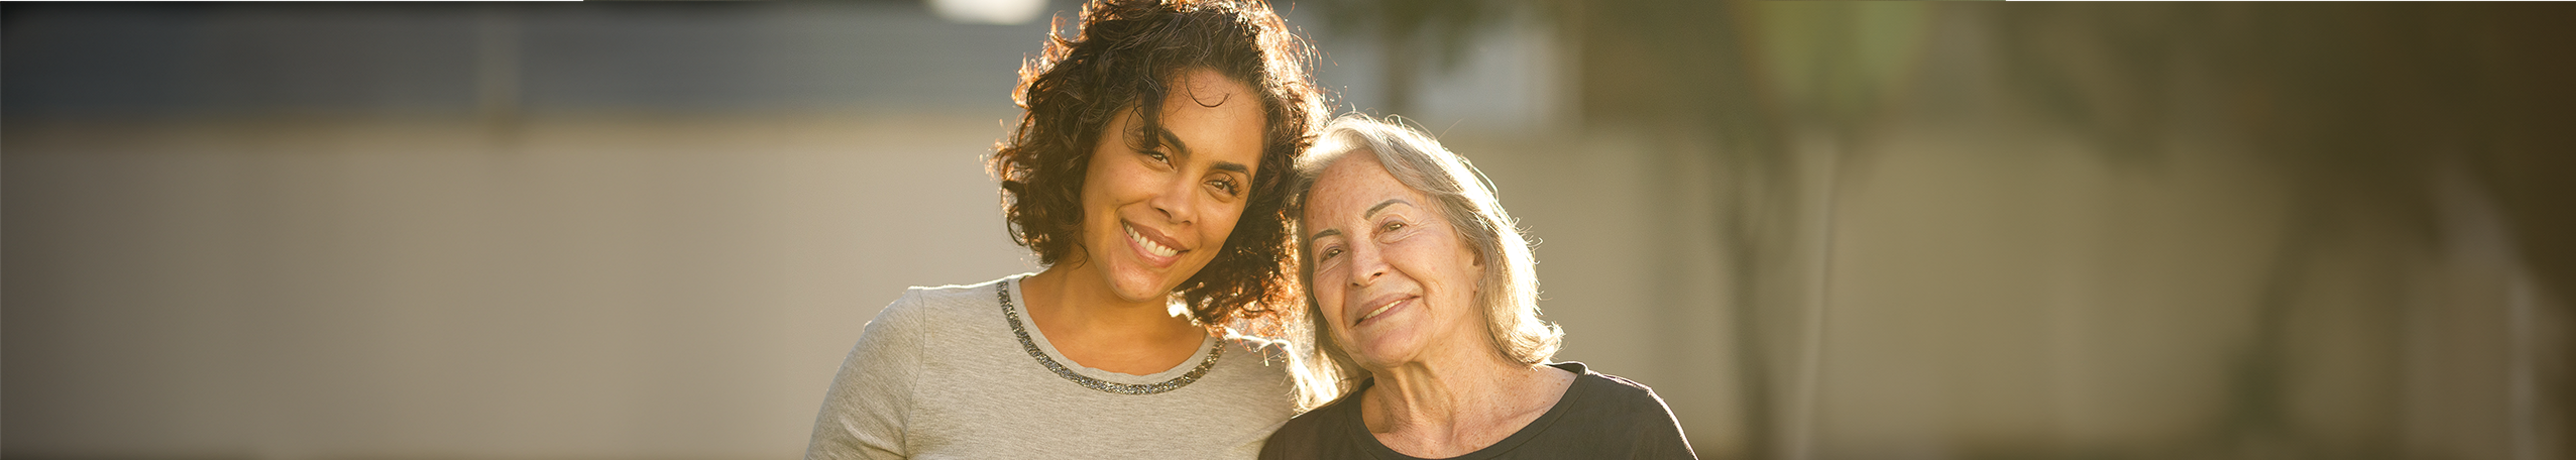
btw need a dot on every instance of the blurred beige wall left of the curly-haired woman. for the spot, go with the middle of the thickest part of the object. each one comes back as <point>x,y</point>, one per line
<point>424,289</point>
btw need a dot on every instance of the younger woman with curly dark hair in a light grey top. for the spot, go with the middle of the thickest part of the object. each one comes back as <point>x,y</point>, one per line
<point>1148,176</point>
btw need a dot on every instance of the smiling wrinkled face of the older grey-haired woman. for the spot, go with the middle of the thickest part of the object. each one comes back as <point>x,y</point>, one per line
<point>1392,276</point>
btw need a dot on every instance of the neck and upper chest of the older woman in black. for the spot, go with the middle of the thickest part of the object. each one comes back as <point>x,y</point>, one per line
<point>1454,407</point>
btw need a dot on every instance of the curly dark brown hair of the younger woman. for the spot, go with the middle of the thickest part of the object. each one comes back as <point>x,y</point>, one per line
<point>1127,55</point>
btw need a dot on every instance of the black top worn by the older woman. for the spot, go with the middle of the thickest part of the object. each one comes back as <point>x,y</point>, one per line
<point>1598,418</point>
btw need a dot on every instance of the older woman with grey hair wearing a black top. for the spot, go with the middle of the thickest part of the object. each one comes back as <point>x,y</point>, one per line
<point>1426,328</point>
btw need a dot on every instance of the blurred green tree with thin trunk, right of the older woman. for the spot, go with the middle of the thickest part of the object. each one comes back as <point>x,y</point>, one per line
<point>1766,94</point>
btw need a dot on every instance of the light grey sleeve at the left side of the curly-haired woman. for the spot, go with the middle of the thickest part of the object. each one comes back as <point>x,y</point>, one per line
<point>869,402</point>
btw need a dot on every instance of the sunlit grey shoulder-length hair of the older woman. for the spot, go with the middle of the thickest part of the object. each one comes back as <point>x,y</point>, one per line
<point>1508,289</point>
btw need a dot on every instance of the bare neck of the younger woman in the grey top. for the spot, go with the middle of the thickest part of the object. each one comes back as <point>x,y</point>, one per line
<point>1094,328</point>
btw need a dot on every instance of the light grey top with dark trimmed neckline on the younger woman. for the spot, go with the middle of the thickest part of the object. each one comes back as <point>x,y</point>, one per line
<point>939,374</point>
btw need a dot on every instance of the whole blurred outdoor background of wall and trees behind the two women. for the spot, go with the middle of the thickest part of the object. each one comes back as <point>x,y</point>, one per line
<point>1820,230</point>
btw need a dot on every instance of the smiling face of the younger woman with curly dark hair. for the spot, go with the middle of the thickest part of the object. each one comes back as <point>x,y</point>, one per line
<point>1155,217</point>
